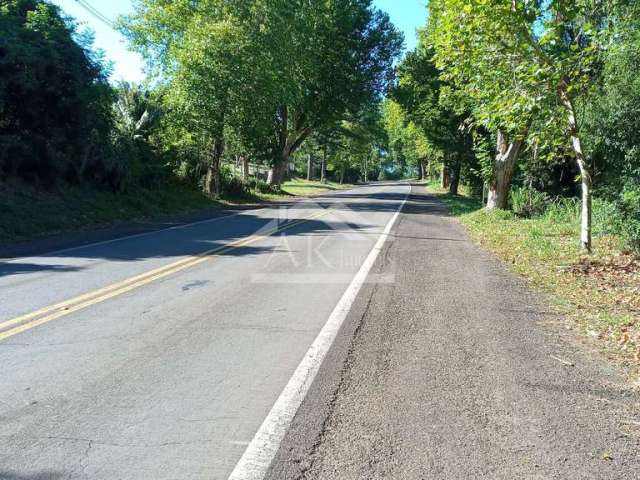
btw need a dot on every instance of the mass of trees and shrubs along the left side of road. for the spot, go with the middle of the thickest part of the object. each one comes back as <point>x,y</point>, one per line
<point>240,96</point>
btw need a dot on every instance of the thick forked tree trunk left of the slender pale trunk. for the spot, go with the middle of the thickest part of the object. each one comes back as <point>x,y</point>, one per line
<point>503,168</point>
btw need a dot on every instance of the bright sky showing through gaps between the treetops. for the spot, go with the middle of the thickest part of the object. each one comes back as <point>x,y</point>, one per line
<point>407,15</point>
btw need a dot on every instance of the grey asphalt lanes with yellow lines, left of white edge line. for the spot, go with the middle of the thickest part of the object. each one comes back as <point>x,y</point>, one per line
<point>140,359</point>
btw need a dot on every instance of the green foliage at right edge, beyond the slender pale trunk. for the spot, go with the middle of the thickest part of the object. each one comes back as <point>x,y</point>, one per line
<point>611,124</point>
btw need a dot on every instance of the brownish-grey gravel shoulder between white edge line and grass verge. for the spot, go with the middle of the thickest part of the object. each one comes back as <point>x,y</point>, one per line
<point>457,371</point>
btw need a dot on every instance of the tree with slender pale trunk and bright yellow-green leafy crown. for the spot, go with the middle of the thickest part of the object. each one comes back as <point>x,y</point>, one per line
<point>551,51</point>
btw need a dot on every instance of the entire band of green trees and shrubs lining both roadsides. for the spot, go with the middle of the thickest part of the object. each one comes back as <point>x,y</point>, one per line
<point>533,105</point>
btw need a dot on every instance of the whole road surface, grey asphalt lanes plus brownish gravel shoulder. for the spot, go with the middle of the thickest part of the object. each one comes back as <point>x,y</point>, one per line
<point>156,362</point>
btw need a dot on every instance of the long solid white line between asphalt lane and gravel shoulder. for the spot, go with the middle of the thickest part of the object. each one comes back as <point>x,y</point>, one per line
<point>257,458</point>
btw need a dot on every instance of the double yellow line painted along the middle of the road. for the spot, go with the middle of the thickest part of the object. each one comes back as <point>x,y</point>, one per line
<point>20,324</point>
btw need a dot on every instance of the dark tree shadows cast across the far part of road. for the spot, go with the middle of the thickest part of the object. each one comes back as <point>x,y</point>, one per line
<point>195,239</point>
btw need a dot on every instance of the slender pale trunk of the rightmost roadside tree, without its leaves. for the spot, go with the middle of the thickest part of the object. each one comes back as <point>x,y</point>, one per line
<point>585,173</point>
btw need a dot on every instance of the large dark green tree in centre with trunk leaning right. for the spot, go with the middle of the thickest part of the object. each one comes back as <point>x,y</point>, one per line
<point>329,79</point>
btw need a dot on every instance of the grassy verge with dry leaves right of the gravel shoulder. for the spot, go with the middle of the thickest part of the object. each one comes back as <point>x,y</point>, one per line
<point>599,293</point>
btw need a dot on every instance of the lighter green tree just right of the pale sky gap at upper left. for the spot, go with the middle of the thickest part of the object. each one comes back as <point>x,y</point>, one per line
<point>212,55</point>
